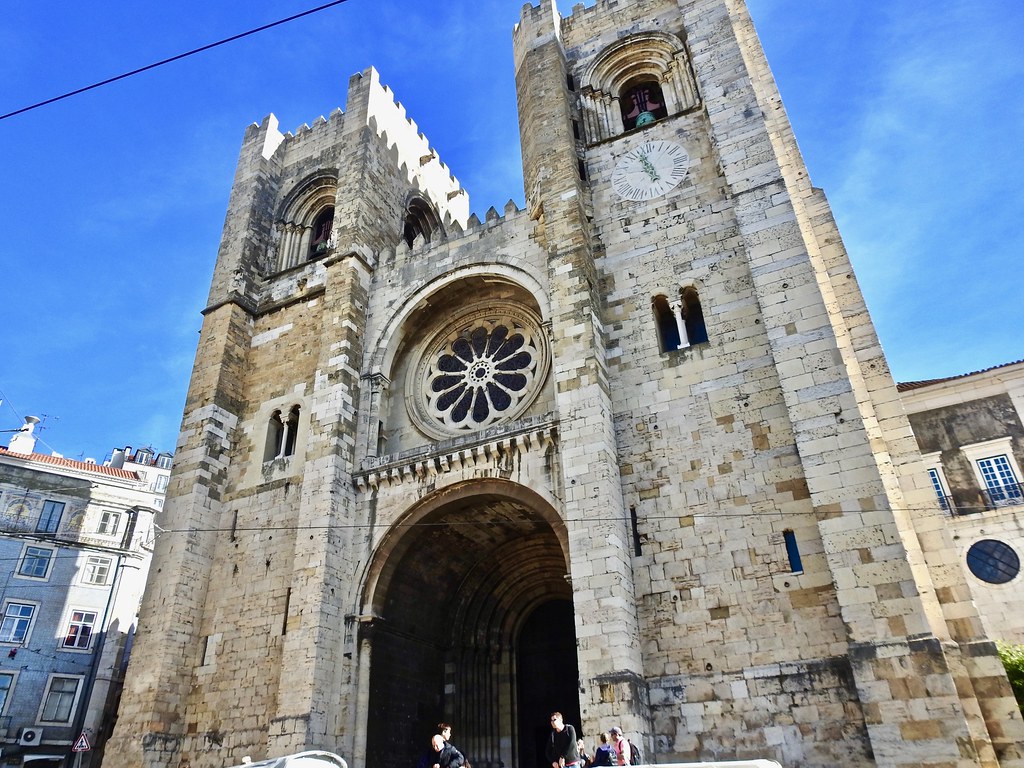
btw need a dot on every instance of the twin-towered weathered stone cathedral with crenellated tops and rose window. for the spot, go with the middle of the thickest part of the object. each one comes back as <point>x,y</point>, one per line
<point>632,453</point>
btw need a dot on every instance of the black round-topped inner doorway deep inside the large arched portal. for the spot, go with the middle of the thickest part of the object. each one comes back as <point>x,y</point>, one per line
<point>548,680</point>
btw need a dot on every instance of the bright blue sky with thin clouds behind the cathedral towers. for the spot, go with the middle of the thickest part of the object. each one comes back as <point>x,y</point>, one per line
<point>910,115</point>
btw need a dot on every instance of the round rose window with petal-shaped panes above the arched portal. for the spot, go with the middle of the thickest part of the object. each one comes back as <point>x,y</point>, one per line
<point>483,368</point>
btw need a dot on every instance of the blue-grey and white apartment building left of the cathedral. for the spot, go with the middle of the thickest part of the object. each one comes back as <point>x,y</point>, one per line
<point>76,540</point>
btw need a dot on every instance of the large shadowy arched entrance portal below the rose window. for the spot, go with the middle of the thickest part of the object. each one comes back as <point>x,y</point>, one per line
<point>473,624</point>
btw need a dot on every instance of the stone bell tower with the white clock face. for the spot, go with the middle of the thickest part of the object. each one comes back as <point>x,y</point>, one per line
<point>784,543</point>
